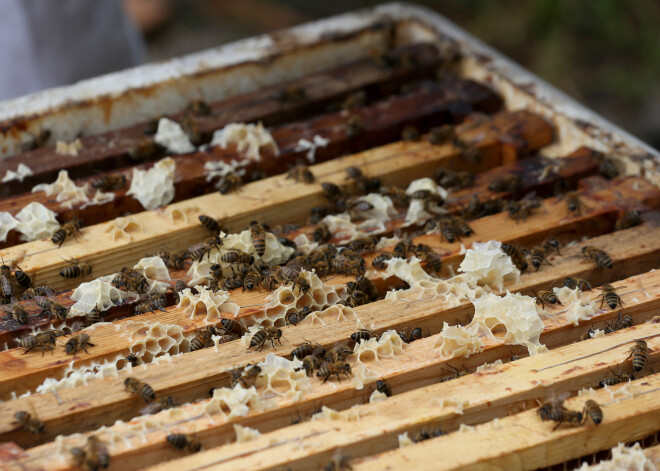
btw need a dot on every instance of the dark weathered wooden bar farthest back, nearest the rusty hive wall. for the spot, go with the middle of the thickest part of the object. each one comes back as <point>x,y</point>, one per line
<point>108,151</point>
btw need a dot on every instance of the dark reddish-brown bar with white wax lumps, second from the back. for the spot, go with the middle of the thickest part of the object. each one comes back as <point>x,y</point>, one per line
<point>383,121</point>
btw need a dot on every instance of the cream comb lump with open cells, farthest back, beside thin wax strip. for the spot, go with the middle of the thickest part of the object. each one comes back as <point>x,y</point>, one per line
<point>249,139</point>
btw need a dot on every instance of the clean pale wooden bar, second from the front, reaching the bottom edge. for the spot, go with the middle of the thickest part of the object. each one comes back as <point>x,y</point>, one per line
<point>511,388</point>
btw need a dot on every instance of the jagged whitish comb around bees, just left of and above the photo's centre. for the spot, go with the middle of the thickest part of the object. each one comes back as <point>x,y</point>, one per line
<point>275,254</point>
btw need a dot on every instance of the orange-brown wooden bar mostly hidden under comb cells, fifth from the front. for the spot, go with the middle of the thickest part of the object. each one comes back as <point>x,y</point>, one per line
<point>25,373</point>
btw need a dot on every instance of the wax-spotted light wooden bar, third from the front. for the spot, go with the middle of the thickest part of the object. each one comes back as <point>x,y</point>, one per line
<point>401,373</point>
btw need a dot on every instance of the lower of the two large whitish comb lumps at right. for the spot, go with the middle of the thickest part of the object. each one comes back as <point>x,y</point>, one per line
<point>518,314</point>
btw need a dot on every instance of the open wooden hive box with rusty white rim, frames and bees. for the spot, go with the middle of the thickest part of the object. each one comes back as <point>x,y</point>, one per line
<point>420,259</point>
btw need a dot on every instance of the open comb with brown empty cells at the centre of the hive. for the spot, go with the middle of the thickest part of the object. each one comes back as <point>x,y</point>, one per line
<point>285,300</point>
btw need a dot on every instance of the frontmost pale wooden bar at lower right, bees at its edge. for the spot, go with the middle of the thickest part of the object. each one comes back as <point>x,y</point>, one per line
<point>523,442</point>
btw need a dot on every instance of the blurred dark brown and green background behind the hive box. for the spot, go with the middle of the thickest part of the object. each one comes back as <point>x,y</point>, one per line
<point>604,53</point>
